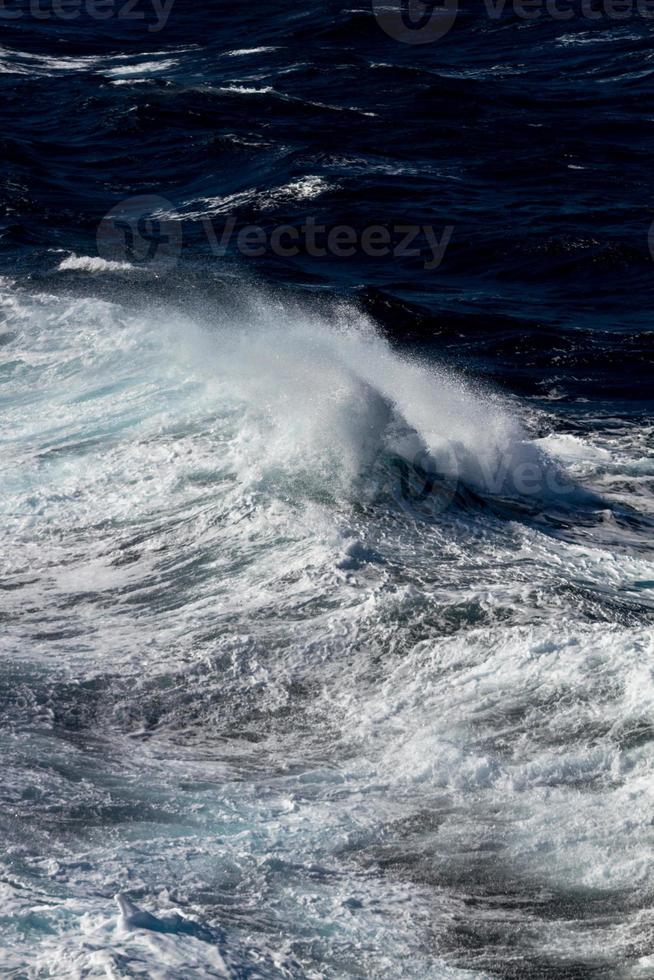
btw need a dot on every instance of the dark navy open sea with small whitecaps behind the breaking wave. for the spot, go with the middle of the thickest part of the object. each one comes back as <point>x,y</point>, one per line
<point>531,139</point>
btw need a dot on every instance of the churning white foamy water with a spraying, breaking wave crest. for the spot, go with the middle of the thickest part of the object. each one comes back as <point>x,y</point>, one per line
<point>320,658</point>
